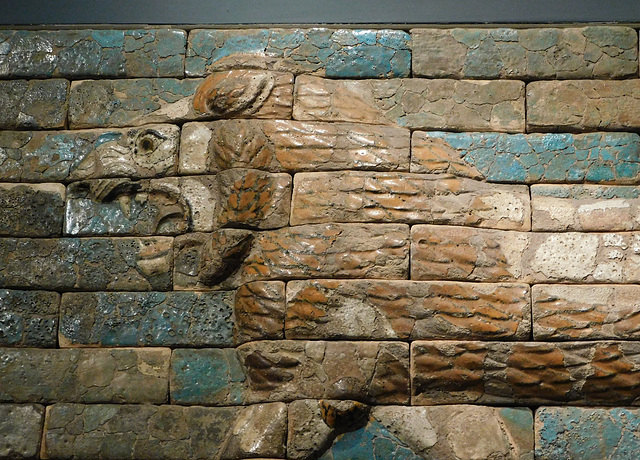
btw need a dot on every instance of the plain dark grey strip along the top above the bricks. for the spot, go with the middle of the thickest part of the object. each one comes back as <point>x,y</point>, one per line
<point>397,12</point>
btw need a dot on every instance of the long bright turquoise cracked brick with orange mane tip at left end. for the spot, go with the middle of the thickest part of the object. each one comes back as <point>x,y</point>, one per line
<point>529,158</point>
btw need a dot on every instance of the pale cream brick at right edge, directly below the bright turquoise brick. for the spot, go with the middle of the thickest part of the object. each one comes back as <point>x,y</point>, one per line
<point>585,208</point>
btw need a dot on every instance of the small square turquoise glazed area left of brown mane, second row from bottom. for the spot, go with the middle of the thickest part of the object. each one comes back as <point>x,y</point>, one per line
<point>207,376</point>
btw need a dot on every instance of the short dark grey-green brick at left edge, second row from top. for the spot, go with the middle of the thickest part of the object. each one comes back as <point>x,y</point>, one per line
<point>33,104</point>
